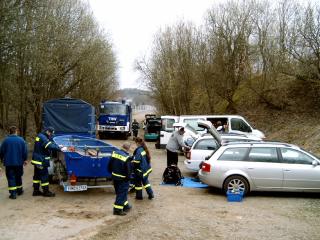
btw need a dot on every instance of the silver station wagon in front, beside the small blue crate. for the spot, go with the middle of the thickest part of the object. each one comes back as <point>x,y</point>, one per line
<point>261,166</point>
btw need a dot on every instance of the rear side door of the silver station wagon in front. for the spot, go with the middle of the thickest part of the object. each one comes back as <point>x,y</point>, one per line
<point>264,168</point>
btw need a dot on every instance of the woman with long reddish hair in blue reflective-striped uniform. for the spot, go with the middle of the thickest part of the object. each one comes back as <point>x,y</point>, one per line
<point>142,168</point>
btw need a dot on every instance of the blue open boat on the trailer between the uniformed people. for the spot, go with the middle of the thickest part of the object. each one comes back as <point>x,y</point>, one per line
<point>79,162</point>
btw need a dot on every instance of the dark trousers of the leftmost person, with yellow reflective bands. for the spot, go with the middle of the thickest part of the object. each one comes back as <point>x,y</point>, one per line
<point>14,177</point>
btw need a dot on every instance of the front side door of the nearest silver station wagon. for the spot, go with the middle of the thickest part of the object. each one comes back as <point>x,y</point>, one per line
<point>298,171</point>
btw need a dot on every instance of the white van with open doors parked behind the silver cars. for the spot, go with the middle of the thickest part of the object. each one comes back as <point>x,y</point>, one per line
<point>235,124</point>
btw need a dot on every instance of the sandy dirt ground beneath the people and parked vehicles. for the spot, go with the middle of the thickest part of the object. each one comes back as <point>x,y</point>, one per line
<point>175,213</point>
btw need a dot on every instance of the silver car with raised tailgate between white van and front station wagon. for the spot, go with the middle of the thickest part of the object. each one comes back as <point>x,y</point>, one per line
<point>206,145</point>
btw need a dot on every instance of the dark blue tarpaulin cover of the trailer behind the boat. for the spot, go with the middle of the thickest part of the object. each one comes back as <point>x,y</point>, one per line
<point>69,116</point>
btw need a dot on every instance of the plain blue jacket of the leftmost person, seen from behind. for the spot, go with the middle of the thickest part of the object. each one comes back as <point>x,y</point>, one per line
<point>13,151</point>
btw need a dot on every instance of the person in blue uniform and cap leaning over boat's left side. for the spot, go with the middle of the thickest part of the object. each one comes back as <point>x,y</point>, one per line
<point>43,147</point>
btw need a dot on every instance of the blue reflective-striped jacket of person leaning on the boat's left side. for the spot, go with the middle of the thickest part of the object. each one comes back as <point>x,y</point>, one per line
<point>42,150</point>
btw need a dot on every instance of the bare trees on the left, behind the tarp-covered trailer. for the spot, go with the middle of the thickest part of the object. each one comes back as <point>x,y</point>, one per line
<point>50,49</point>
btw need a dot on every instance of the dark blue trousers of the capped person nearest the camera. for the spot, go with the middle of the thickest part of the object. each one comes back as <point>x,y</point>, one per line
<point>121,188</point>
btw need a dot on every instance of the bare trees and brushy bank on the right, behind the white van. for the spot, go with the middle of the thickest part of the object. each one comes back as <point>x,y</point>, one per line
<point>260,59</point>
